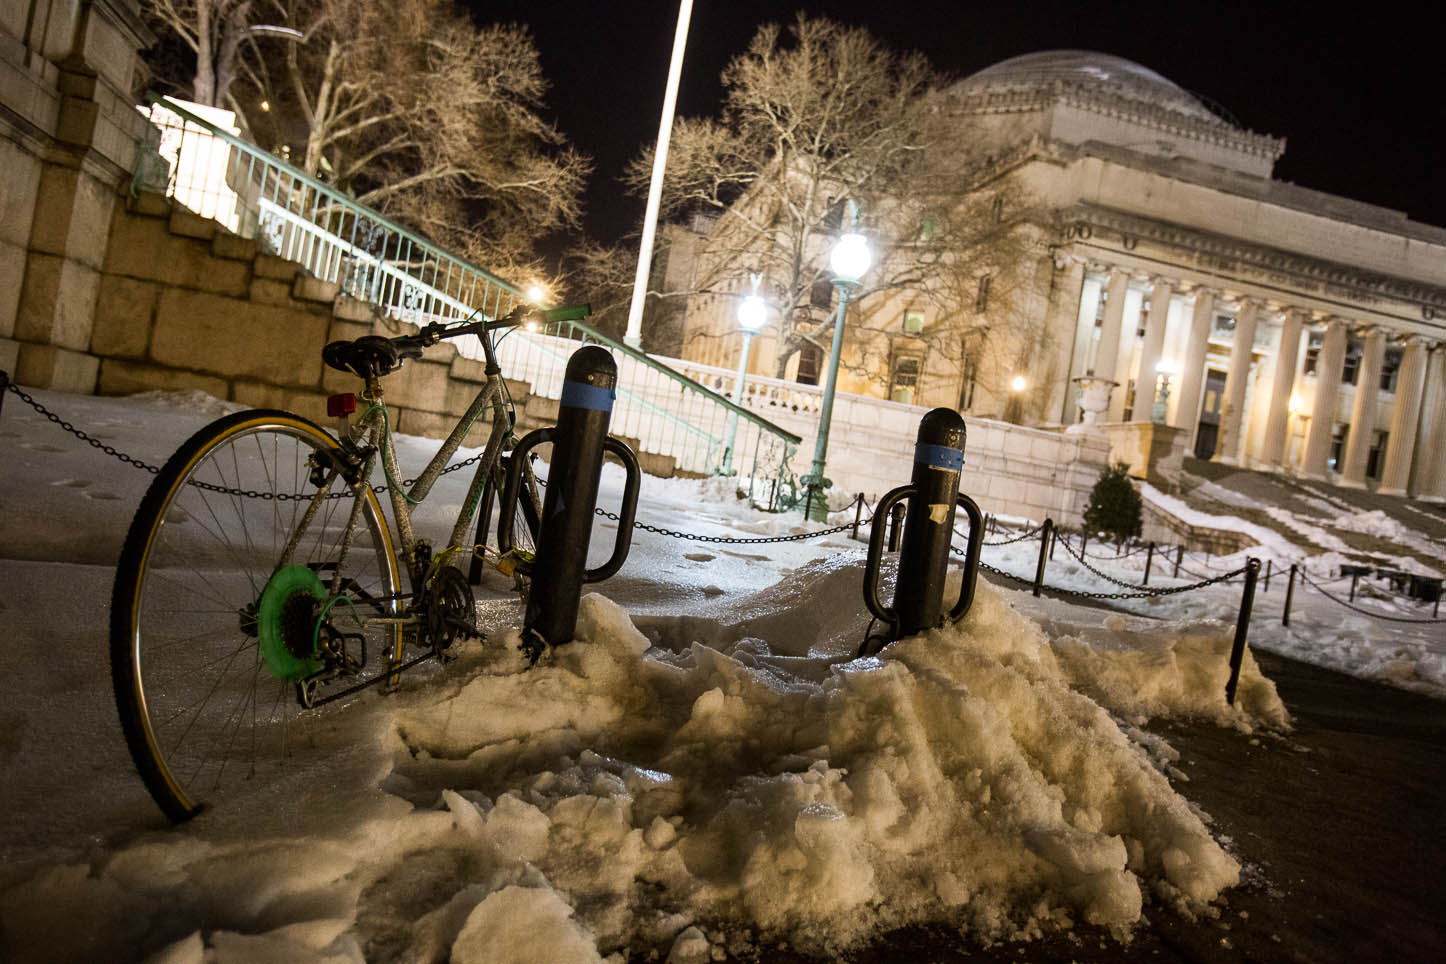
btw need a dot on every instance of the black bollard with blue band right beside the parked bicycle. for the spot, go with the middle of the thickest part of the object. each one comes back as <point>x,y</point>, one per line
<point>579,443</point>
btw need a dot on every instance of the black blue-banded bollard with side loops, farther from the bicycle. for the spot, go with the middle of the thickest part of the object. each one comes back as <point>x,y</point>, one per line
<point>929,528</point>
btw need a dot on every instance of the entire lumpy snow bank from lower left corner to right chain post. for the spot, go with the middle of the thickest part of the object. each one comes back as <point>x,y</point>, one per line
<point>696,800</point>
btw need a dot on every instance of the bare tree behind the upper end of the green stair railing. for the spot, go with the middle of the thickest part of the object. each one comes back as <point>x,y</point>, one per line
<point>408,106</point>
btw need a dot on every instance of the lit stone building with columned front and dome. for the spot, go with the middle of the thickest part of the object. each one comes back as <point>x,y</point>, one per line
<point>1197,303</point>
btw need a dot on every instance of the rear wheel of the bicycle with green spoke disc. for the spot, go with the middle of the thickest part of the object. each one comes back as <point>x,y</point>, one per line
<point>194,647</point>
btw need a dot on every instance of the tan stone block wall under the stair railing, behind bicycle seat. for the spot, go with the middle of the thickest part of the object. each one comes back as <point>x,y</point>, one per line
<point>183,304</point>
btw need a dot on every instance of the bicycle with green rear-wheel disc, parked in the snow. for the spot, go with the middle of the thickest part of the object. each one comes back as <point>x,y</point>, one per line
<point>260,573</point>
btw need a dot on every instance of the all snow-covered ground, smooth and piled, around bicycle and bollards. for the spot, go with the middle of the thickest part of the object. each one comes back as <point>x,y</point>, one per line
<point>705,770</point>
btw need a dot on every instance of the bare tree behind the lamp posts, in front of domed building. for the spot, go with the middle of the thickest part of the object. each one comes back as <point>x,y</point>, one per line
<point>813,116</point>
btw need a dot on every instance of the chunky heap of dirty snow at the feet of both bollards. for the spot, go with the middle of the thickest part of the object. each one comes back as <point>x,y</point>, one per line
<point>958,778</point>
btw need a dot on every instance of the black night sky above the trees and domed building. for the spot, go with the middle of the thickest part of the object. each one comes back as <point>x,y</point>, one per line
<point>1359,98</point>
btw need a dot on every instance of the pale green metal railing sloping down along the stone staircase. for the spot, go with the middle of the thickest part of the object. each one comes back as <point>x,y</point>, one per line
<point>294,216</point>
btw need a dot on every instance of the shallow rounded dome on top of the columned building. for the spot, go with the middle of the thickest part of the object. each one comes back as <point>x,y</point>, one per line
<point>1085,72</point>
